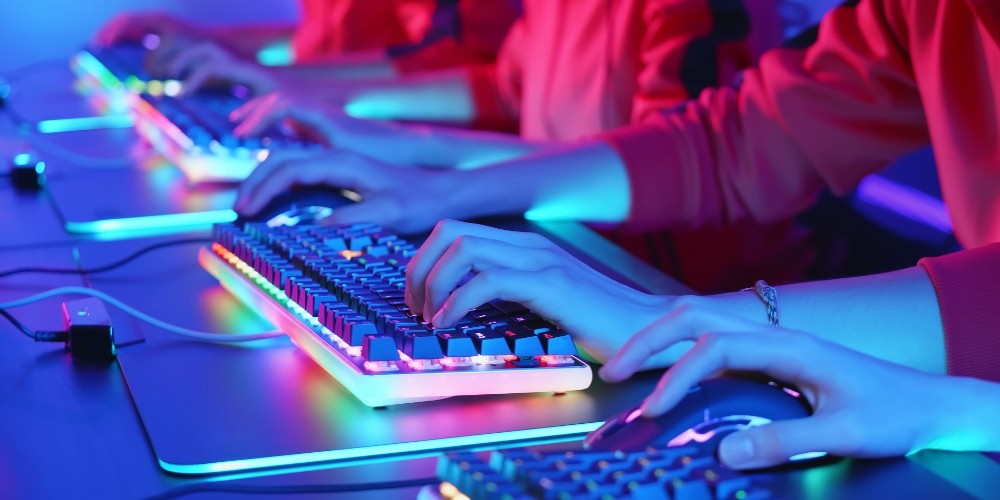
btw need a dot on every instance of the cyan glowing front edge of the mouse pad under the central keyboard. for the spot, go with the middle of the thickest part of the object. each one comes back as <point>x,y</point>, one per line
<point>380,450</point>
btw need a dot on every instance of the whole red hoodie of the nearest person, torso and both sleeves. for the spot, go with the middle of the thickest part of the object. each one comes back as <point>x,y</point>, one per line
<point>885,77</point>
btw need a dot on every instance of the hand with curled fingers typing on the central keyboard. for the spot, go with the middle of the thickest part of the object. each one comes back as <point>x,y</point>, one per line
<point>599,312</point>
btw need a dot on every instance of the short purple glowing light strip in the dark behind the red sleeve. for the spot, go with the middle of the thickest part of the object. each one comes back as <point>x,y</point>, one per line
<point>905,201</point>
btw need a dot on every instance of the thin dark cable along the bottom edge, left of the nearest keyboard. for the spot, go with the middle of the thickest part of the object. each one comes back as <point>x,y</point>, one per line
<point>249,489</point>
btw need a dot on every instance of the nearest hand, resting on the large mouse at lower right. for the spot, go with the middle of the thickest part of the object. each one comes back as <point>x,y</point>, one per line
<point>863,407</point>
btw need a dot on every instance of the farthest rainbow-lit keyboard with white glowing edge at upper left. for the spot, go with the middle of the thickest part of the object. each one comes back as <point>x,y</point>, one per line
<point>194,132</point>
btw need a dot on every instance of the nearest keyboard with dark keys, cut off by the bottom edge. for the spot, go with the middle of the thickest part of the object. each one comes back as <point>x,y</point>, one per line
<point>681,473</point>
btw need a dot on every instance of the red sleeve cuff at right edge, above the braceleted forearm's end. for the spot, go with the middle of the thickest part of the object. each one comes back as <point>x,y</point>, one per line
<point>967,284</point>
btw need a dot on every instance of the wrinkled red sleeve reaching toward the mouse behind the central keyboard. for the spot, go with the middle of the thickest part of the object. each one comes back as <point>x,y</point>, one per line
<point>804,120</point>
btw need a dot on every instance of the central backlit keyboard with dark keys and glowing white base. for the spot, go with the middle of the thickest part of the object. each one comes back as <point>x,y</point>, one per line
<point>338,293</point>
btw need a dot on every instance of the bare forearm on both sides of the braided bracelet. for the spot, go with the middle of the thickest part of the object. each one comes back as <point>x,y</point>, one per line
<point>892,316</point>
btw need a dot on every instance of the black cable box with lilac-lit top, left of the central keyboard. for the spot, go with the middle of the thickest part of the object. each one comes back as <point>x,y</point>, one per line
<point>90,336</point>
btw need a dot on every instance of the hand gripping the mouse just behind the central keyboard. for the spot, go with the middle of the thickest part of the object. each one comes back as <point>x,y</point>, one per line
<point>404,199</point>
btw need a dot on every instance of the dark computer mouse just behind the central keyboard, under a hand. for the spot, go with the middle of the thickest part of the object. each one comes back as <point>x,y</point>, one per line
<point>306,205</point>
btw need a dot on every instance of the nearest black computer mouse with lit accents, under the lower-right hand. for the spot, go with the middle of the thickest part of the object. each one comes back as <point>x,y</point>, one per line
<point>709,411</point>
